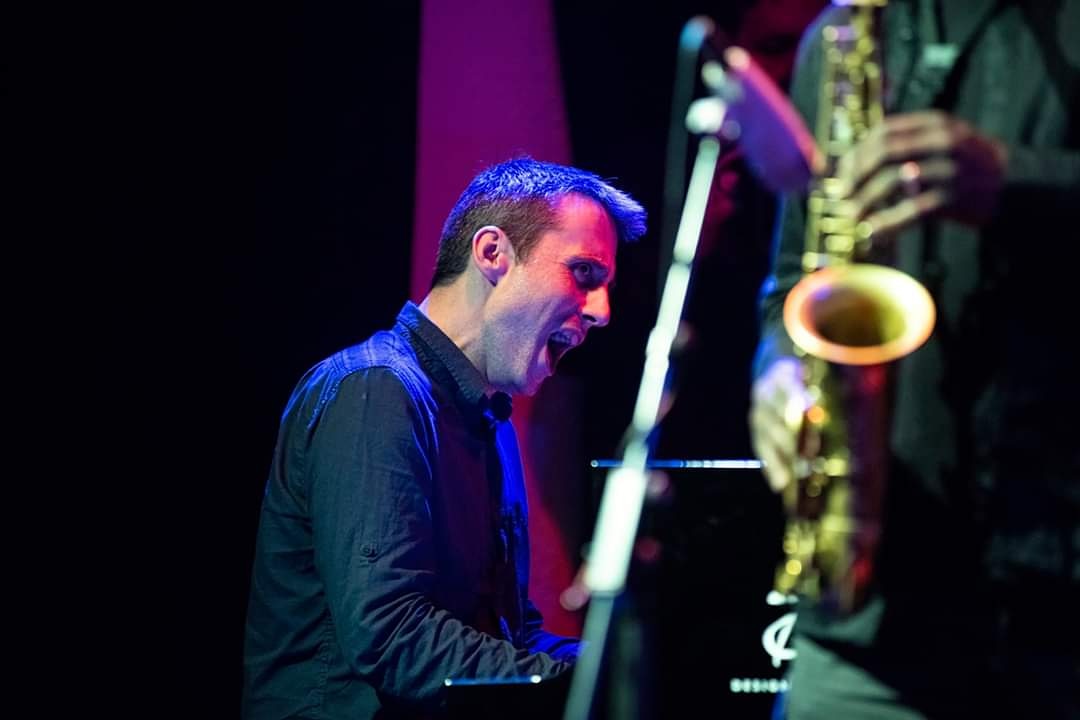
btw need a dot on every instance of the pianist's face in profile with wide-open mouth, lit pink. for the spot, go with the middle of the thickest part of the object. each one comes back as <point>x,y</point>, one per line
<point>545,306</point>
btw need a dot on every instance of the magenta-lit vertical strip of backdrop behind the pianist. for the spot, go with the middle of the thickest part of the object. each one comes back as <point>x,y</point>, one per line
<point>490,89</point>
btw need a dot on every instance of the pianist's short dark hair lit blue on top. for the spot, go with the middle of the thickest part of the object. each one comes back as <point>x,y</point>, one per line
<point>521,197</point>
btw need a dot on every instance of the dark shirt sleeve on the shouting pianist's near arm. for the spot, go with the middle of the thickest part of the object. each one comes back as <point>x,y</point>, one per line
<point>371,471</point>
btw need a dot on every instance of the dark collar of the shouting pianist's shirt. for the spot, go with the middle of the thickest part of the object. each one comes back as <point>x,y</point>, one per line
<point>445,362</point>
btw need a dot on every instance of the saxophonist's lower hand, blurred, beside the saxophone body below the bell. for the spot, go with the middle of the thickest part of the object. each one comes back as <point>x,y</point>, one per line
<point>778,401</point>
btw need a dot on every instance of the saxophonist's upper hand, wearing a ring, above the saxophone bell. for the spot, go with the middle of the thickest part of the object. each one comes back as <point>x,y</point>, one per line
<point>922,165</point>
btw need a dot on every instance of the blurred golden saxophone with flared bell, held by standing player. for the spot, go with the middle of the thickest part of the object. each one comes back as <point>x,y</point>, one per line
<point>848,320</point>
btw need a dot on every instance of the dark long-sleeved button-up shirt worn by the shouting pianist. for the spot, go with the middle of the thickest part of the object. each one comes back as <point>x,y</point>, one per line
<point>393,550</point>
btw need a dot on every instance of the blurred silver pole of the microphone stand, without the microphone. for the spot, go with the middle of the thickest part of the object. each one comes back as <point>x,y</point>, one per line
<point>625,492</point>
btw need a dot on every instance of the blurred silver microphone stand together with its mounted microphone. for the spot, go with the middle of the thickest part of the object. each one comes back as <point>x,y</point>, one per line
<point>784,155</point>
